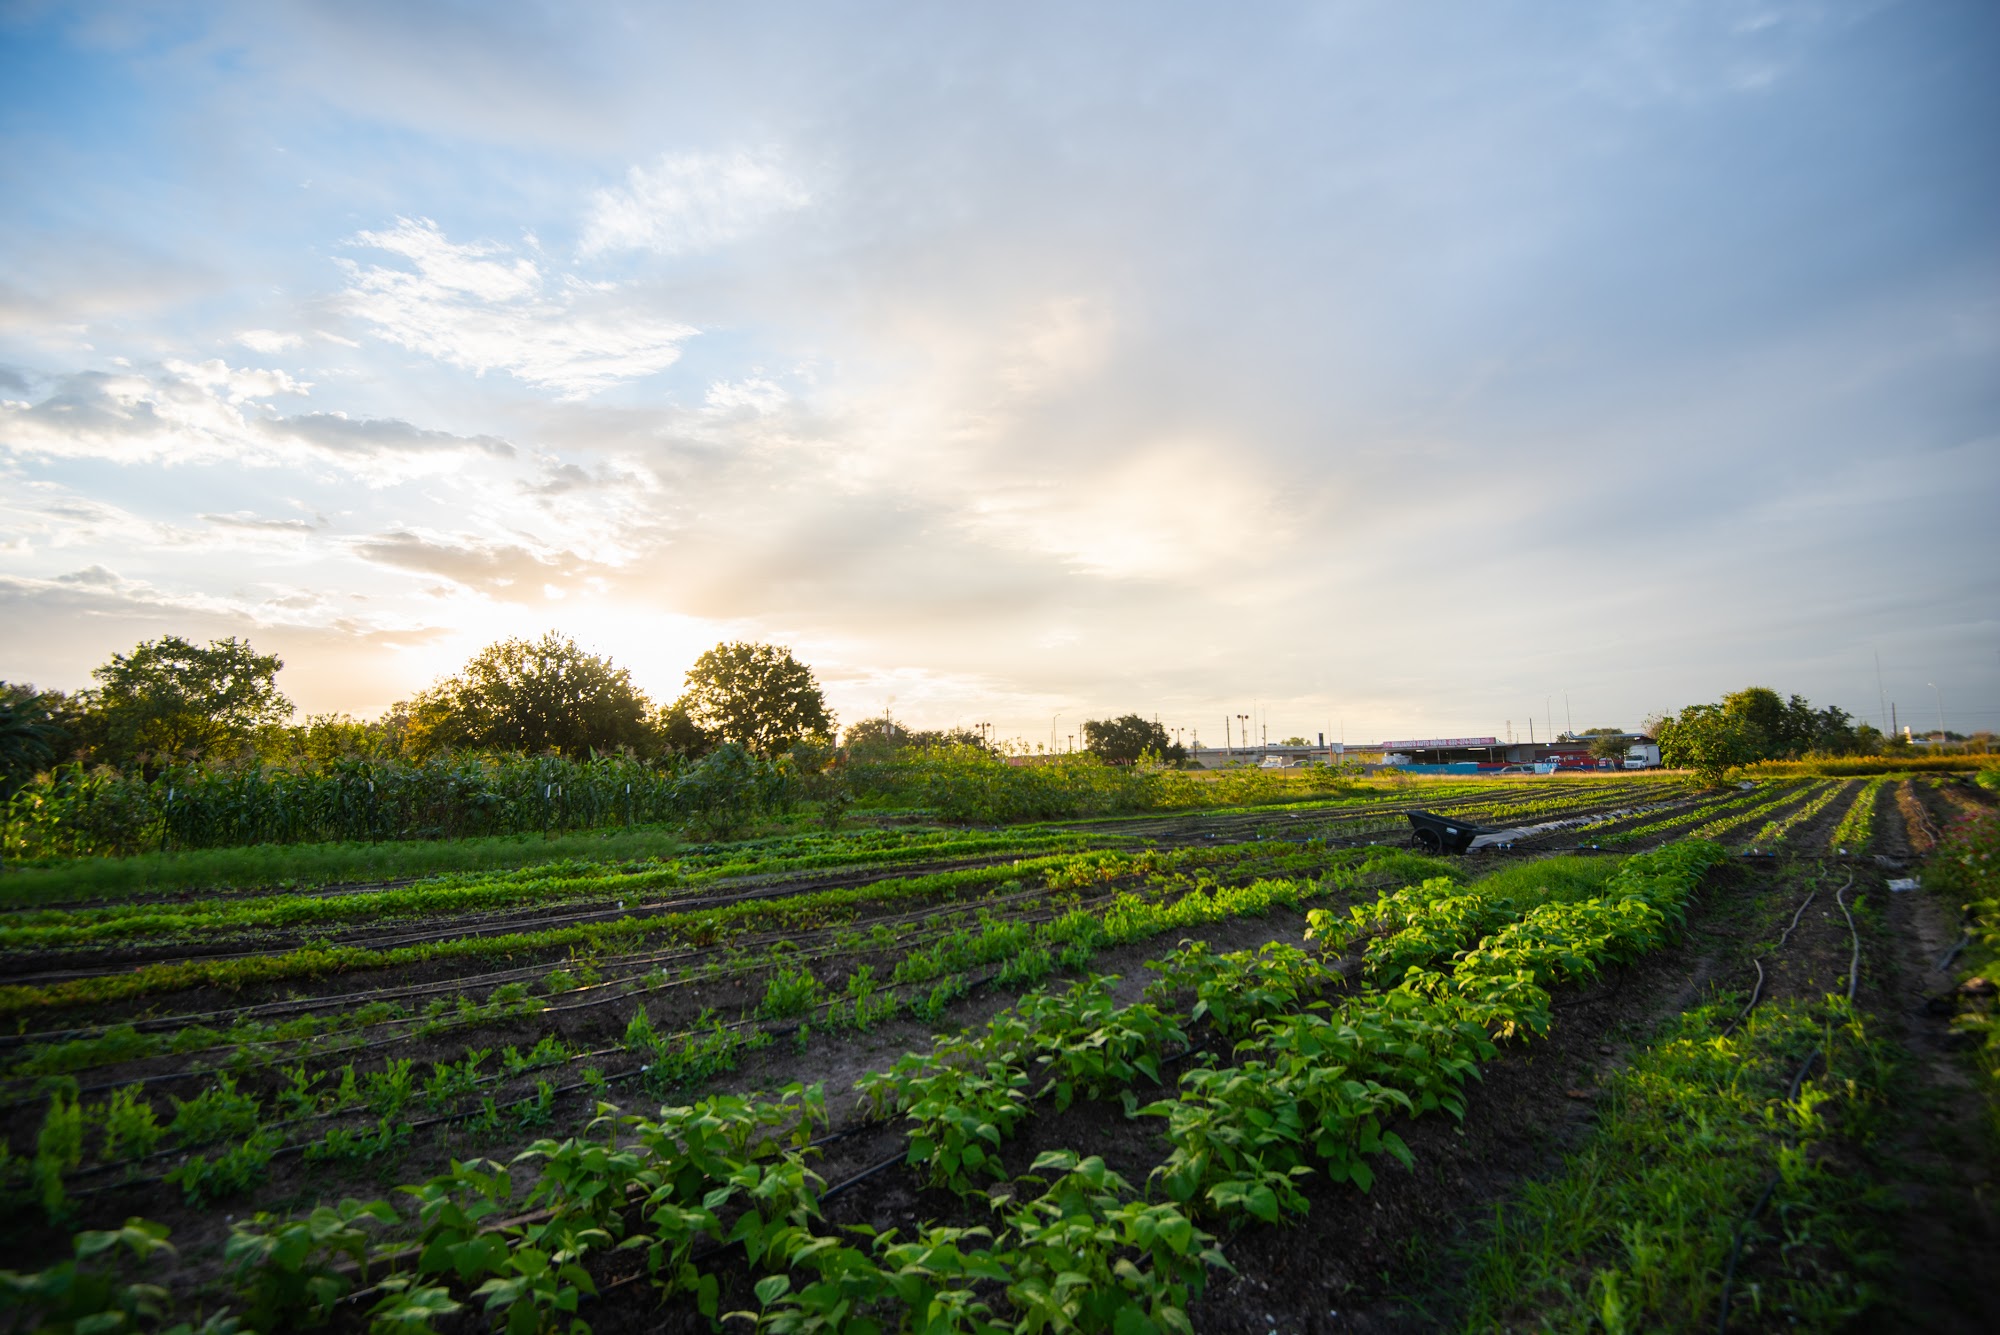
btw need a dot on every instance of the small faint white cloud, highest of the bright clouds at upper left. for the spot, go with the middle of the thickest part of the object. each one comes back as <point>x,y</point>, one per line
<point>691,203</point>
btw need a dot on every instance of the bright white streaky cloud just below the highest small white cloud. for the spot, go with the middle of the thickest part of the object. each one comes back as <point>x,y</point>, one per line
<point>485,309</point>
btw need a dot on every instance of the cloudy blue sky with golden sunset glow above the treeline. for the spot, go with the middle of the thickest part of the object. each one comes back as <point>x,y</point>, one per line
<point>1375,371</point>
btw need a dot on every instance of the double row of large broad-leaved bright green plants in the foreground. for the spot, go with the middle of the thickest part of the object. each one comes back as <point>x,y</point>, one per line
<point>1447,972</point>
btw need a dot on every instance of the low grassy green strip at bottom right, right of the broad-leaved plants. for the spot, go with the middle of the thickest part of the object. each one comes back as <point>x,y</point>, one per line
<point>1561,1254</point>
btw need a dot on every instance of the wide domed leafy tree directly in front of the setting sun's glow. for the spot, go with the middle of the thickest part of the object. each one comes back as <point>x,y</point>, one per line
<point>531,696</point>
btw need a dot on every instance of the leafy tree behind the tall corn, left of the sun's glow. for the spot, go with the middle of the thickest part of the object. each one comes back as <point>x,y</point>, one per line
<point>175,700</point>
